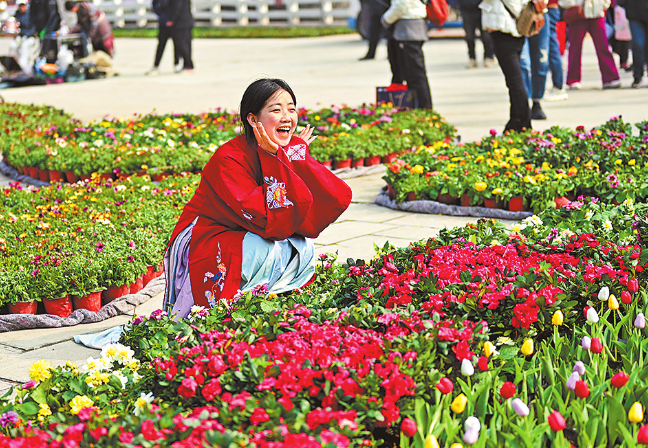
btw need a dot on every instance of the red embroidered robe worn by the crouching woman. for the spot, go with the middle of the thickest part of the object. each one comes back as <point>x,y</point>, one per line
<point>246,189</point>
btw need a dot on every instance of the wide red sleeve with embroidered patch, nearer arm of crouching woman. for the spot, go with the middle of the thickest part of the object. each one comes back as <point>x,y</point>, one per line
<point>275,209</point>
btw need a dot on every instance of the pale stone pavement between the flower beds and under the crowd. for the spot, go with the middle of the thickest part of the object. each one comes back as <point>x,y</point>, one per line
<point>322,72</point>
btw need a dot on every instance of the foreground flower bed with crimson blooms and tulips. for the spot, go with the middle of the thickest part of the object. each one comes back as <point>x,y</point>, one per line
<point>484,336</point>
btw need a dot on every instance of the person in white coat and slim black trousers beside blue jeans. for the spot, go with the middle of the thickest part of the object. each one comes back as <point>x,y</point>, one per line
<point>508,44</point>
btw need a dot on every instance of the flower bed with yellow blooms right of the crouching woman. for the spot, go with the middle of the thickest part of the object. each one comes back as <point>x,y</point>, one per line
<point>529,170</point>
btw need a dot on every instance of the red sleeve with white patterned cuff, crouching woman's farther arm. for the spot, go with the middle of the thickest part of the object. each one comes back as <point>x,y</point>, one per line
<point>331,195</point>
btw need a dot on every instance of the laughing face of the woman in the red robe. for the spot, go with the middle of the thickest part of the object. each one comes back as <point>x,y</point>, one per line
<point>278,117</point>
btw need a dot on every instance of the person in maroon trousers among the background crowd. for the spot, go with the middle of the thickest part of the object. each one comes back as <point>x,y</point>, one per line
<point>591,21</point>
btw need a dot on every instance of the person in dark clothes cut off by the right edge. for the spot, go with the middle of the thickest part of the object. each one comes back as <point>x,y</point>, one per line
<point>637,14</point>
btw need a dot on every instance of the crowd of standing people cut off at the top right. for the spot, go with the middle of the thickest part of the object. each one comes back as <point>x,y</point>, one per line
<point>615,26</point>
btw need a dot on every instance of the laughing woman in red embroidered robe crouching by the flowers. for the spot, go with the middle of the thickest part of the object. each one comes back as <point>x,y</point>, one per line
<point>260,200</point>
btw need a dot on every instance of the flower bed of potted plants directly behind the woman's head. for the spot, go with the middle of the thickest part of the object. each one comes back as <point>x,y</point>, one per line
<point>53,147</point>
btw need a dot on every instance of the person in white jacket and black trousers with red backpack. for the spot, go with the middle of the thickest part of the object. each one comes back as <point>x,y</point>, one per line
<point>408,28</point>
